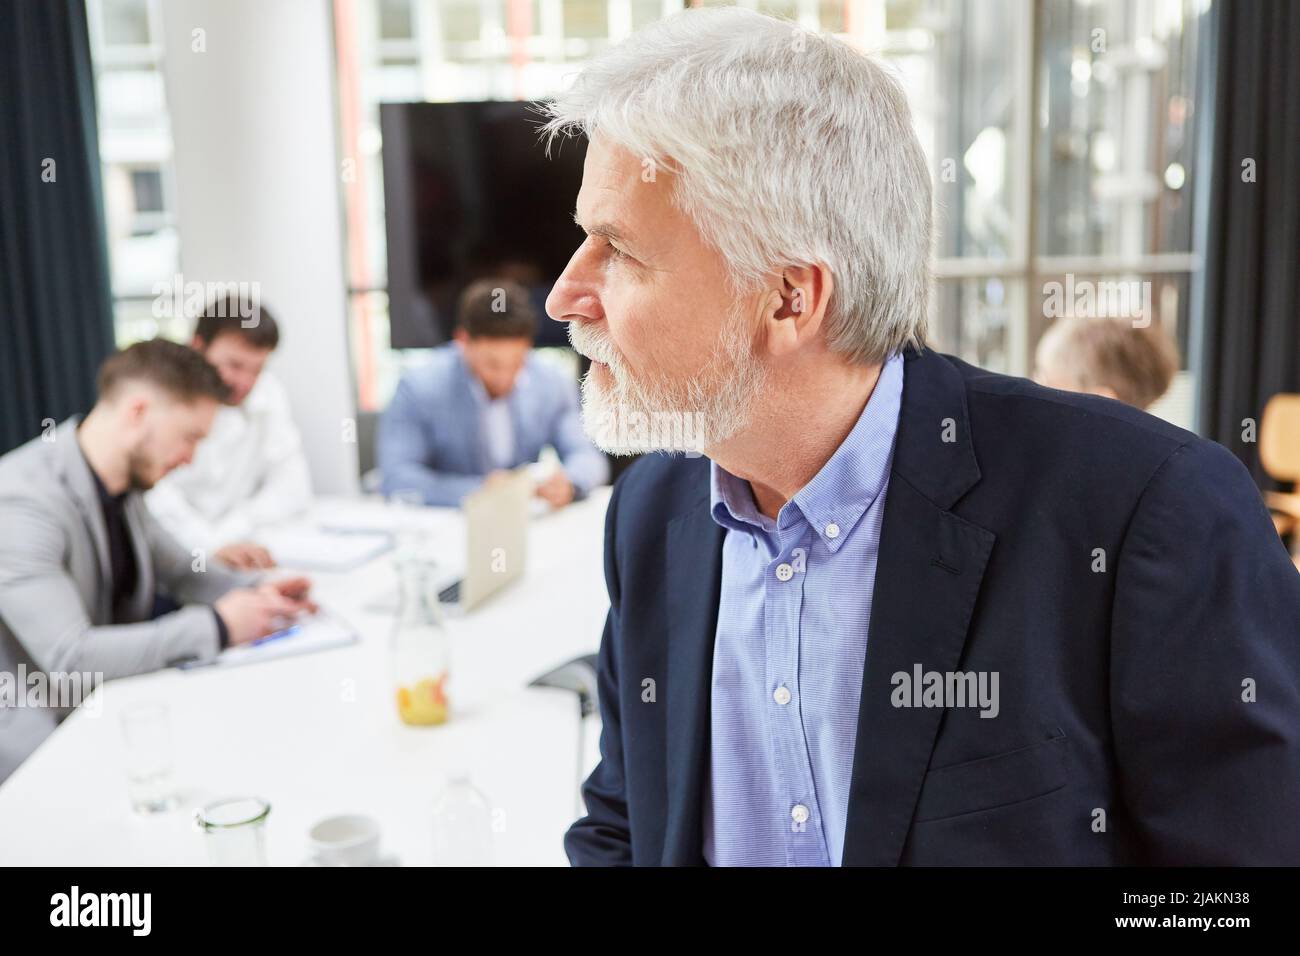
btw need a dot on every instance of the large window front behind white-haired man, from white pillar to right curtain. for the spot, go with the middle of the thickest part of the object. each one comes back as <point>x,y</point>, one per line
<point>1061,139</point>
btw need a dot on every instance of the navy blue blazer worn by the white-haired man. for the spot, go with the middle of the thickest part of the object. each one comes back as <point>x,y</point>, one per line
<point>1150,702</point>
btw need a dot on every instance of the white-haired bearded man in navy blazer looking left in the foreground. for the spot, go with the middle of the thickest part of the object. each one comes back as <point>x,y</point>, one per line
<point>800,618</point>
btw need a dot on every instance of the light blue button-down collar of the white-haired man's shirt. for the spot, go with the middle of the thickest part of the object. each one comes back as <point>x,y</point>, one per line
<point>846,487</point>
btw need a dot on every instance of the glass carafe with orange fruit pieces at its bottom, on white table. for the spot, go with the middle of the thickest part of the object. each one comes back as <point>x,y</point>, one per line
<point>421,648</point>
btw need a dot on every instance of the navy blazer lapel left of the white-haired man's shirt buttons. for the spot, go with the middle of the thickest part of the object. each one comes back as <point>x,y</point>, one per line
<point>694,591</point>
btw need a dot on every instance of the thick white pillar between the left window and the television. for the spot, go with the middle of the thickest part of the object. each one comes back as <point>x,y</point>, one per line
<point>250,89</point>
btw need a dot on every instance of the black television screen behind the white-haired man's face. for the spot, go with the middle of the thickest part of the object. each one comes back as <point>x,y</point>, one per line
<point>470,193</point>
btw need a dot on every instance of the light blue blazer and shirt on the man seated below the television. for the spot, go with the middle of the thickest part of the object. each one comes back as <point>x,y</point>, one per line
<point>441,436</point>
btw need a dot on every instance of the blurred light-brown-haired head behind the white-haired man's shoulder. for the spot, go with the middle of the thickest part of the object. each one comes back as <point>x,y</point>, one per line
<point>1108,357</point>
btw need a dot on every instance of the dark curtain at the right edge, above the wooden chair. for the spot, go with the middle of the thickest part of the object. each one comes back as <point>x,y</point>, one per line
<point>1251,340</point>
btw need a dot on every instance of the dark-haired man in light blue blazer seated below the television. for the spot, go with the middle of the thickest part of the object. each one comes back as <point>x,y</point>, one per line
<point>484,405</point>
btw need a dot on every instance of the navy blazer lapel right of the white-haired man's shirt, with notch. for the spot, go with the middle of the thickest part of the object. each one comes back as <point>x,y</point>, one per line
<point>929,576</point>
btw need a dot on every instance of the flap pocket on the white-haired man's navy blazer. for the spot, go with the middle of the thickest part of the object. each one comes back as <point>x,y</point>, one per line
<point>987,784</point>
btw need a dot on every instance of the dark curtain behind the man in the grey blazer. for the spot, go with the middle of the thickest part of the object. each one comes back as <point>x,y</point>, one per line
<point>57,315</point>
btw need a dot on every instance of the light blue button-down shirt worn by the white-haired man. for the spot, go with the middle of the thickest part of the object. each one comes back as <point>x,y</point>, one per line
<point>791,647</point>
